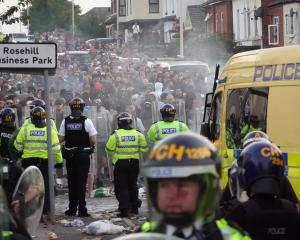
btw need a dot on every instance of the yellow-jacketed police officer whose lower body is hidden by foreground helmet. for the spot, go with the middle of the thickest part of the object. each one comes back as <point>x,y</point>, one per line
<point>167,126</point>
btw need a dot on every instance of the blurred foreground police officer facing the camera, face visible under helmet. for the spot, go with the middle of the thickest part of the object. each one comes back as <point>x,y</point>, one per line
<point>182,176</point>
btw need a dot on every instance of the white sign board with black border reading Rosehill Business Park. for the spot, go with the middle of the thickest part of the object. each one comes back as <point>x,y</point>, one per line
<point>28,56</point>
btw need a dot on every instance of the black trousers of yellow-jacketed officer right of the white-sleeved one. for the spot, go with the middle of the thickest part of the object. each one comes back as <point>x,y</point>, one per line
<point>126,172</point>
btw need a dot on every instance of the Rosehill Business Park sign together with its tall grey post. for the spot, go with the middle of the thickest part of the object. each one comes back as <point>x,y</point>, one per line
<point>34,58</point>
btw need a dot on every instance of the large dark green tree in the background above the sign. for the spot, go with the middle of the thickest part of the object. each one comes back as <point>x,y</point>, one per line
<point>48,15</point>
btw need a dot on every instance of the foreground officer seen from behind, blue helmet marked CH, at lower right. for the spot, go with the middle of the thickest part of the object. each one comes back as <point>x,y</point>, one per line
<point>264,215</point>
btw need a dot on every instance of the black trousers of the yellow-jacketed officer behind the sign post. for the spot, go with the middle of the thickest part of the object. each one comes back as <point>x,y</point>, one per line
<point>41,164</point>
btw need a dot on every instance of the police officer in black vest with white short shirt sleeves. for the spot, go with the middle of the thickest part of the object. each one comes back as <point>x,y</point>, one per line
<point>79,134</point>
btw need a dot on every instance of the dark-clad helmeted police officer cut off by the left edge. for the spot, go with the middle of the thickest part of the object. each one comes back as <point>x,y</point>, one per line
<point>11,172</point>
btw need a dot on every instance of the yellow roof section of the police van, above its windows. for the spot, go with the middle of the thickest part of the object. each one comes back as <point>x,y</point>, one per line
<point>242,67</point>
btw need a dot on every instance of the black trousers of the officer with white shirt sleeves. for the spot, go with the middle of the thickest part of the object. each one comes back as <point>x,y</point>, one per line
<point>77,171</point>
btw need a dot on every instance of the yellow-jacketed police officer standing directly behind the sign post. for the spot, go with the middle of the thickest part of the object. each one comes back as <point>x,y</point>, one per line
<point>32,142</point>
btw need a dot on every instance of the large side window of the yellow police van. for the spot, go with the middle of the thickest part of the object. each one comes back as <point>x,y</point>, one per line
<point>246,111</point>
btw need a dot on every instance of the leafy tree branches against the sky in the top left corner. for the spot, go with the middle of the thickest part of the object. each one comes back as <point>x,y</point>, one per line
<point>8,16</point>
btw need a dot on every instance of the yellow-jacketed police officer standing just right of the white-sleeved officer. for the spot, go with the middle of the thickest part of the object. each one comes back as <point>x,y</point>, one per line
<point>126,146</point>
